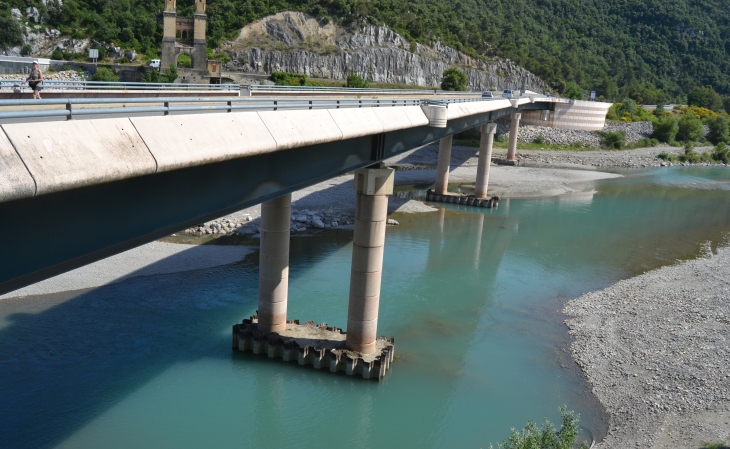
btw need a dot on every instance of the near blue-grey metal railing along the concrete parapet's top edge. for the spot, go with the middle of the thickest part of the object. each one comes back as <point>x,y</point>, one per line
<point>168,105</point>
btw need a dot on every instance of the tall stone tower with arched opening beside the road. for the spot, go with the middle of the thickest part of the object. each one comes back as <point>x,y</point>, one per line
<point>174,27</point>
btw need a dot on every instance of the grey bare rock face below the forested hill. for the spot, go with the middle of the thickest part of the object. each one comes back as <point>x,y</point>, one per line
<point>296,42</point>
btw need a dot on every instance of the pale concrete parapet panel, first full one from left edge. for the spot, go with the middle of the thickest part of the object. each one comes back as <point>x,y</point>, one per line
<point>71,154</point>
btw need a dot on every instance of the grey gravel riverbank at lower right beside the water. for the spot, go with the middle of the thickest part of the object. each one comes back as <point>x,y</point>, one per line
<point>655,348</point>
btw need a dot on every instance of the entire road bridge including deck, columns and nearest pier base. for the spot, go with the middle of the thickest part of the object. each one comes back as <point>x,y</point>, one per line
<point>90,185</point>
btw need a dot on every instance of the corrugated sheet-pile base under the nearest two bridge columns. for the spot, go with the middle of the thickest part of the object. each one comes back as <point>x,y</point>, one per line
<point>321,346</point>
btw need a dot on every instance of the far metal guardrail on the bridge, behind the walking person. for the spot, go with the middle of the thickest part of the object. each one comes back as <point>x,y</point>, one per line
<point>117,85</point>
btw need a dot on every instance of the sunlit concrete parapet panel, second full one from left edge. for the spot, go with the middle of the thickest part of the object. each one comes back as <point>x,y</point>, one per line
<point>179,141</point>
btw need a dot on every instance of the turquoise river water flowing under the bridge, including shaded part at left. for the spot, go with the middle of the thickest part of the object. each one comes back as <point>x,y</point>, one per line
<point>472,297</point>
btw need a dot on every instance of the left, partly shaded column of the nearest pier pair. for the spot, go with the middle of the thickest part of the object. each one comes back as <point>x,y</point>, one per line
<point>274,264</point>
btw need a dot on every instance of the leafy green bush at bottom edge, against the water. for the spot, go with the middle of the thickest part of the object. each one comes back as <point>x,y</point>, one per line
<point>546,437</point>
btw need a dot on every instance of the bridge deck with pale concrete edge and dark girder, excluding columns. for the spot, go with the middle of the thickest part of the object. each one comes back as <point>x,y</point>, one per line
<point>87,189</point>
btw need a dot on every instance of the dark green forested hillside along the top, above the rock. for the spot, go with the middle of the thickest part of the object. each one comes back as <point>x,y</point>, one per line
<point>646,47</point>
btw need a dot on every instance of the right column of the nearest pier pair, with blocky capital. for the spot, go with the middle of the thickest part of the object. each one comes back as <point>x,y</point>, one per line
<point>371,210</point>
